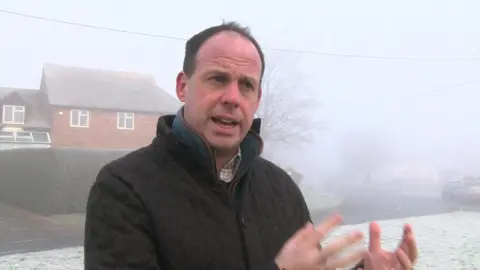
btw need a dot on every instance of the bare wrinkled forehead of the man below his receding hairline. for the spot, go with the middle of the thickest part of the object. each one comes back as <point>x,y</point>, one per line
<point>230,51</point>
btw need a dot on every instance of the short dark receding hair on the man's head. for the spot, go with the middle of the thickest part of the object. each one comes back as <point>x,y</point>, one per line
<point>195,43</point>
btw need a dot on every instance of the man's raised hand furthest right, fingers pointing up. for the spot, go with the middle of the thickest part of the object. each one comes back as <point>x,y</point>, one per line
<point>403,258</point>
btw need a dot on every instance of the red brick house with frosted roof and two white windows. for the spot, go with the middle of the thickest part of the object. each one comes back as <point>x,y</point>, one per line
<point>89,108</point>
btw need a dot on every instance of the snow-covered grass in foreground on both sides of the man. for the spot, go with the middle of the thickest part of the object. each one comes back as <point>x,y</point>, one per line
<point>447,241</point>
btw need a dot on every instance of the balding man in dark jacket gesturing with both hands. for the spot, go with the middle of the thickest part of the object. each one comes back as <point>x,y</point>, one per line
<point>201,197</point>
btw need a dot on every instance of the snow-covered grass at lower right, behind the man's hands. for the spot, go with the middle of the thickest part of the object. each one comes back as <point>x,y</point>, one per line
<point>446,241</point>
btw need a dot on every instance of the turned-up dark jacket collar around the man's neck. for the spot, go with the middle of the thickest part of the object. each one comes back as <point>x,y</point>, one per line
<point>175,127</point>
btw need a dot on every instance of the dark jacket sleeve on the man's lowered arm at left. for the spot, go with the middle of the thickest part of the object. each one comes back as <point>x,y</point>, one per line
<point>118,234</point>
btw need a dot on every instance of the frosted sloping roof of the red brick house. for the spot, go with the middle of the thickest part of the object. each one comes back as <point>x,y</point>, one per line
<point>104,89</point>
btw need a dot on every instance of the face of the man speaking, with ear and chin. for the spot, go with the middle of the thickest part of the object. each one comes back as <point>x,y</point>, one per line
<point>222,95</point>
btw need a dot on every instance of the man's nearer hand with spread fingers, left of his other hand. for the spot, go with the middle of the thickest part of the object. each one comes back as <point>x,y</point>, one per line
<point>302,251</point>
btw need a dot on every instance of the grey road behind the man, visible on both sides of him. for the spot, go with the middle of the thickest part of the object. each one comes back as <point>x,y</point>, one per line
<point>22,232</point>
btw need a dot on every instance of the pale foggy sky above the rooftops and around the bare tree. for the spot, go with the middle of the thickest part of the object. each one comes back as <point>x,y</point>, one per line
<point>356,93</point>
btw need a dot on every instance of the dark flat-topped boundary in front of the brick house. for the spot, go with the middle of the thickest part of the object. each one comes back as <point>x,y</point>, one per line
<point>51,180</point>
